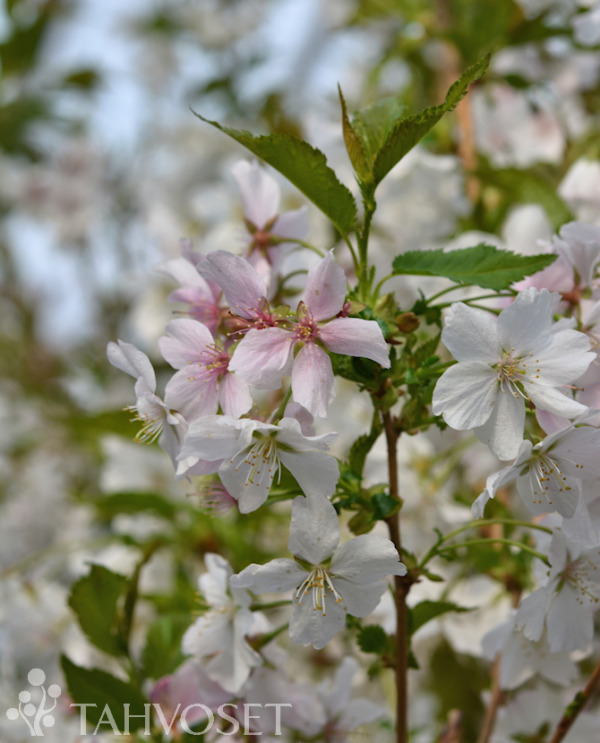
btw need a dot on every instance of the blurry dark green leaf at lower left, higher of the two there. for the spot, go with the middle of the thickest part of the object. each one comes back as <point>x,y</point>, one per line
<point>94,600</point>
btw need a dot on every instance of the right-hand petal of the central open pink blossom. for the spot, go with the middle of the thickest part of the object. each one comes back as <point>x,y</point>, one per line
<point>355,337</point>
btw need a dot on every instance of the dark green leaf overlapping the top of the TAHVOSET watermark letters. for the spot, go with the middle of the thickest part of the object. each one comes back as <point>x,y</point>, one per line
<point>103,691</point>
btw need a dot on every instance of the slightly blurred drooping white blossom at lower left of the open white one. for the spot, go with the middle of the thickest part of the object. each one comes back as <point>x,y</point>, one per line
<point>218,635</point>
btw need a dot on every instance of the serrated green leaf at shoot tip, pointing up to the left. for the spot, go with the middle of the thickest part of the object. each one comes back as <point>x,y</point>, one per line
<point>305,167</point>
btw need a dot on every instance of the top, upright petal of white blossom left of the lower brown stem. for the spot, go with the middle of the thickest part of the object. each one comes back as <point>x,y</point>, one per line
<point>314,529</point>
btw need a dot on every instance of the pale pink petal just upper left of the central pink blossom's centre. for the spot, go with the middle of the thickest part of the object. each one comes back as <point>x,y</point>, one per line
<point>241,284</point>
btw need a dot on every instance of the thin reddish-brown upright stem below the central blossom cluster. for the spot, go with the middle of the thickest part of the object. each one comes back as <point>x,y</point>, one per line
<point>401,587</point>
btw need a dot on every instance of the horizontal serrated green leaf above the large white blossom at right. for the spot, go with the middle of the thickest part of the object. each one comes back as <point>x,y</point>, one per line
<point>483,265</point>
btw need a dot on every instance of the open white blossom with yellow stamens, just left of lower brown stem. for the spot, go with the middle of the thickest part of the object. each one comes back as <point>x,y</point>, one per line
<point>340,580</point>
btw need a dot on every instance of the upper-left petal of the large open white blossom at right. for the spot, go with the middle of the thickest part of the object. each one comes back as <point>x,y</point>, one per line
<point>470,334</point>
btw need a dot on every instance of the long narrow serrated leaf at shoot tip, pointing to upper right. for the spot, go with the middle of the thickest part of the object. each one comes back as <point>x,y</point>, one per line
<point>409,131</point>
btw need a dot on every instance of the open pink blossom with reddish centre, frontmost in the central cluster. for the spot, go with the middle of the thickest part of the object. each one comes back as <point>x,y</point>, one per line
<point>264,356</point>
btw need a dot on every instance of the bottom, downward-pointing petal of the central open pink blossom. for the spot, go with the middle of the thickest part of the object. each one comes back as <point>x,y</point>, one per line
<point>312,380</point>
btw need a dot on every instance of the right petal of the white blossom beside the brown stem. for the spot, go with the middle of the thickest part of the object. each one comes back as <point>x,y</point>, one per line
<point>366,558</point>
